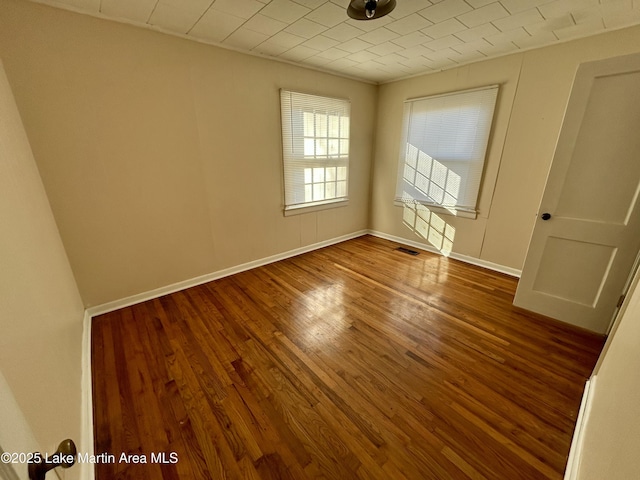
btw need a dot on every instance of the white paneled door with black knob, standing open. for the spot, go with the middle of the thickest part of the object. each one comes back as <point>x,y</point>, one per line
<point>587,233</point>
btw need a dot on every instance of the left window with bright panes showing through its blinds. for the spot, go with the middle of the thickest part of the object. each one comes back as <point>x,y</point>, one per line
<point>315,145</point>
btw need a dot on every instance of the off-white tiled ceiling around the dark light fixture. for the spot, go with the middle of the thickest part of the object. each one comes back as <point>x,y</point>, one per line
<point>417,36</point>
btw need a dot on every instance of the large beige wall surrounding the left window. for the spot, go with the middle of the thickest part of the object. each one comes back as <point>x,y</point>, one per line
<point>161,157</point>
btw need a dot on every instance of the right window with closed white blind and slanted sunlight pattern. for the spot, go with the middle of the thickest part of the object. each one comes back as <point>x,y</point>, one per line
<point>443,149</point>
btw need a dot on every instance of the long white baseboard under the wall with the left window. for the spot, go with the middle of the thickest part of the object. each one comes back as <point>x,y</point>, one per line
<point>176,287</point>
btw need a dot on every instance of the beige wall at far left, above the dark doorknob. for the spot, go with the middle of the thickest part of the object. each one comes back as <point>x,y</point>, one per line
<point>41,311</point>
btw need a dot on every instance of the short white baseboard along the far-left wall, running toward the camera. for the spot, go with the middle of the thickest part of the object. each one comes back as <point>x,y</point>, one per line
<point>87,469</point>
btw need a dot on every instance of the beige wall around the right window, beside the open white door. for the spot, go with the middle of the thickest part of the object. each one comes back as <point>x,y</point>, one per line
<point>535,87</point>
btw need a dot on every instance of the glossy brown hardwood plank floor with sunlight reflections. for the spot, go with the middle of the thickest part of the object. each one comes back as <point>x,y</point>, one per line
<point>355,361</point>
